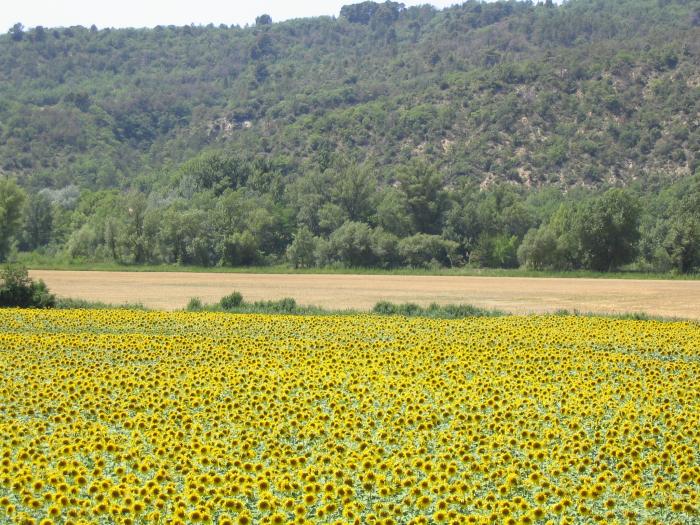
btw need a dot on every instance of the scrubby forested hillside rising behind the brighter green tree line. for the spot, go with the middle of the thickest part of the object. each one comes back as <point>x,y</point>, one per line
<point>592,92</point>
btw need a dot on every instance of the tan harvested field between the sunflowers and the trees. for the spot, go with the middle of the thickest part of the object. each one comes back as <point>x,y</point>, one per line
<point>172,290</point>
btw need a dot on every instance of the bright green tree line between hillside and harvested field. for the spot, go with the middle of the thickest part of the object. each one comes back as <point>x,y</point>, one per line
<point>222,210</point>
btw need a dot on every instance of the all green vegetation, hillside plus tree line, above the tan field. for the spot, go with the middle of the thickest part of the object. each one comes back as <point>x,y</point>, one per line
<point>492,134</point>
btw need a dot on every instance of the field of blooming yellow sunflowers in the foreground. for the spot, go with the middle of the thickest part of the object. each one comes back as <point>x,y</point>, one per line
<point>117,416</point>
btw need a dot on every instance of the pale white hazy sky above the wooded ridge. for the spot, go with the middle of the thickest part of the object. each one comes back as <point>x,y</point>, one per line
<point>150,13</point>
